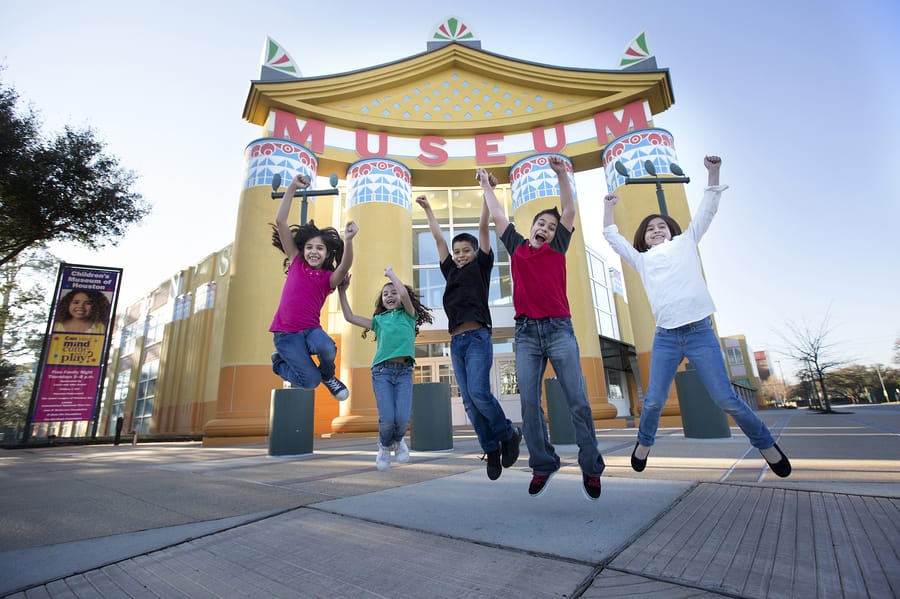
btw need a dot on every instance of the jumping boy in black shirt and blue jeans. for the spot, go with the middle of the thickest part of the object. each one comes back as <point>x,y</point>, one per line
<point>468,275</point>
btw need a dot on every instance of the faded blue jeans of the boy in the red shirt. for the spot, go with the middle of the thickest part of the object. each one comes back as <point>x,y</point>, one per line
<point>553,339</point>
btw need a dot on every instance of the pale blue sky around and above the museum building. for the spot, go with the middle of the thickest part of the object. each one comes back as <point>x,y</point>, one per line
<point>798,98</point>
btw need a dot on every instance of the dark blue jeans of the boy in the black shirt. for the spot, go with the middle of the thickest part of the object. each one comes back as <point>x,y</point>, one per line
<point>472,353</point>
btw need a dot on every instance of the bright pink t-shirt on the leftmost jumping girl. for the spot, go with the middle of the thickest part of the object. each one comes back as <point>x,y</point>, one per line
<point>302,298</point>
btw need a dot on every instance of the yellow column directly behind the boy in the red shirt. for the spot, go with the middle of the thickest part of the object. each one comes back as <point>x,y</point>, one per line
<point>534,188</point>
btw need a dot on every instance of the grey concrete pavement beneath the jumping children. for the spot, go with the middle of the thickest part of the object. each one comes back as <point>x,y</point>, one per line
<point>706,518</point>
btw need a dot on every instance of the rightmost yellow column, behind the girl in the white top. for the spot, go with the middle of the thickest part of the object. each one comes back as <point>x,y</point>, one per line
<point>639,201</point>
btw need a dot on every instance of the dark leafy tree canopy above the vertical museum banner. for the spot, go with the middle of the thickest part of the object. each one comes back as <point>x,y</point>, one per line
<point>66,188</point>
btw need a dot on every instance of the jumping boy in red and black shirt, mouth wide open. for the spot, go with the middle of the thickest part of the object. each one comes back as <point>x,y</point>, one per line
<point>544,332</point>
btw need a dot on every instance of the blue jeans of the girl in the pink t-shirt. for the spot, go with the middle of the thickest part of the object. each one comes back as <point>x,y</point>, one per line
<point>294,362</point>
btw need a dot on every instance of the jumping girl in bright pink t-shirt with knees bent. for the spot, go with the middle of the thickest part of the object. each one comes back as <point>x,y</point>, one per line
<point>316,261</point>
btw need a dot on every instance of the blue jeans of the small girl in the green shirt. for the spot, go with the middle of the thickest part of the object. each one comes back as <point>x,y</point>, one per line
<point>392,383</point>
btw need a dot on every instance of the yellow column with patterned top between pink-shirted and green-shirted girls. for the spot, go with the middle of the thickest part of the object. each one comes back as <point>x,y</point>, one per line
<point>379,199</point>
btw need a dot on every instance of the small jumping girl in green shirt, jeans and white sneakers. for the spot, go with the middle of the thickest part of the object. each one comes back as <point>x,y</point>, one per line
<point>398,315</point>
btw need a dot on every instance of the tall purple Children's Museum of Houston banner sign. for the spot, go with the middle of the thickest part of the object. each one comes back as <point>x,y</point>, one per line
<point>79,332</point>
